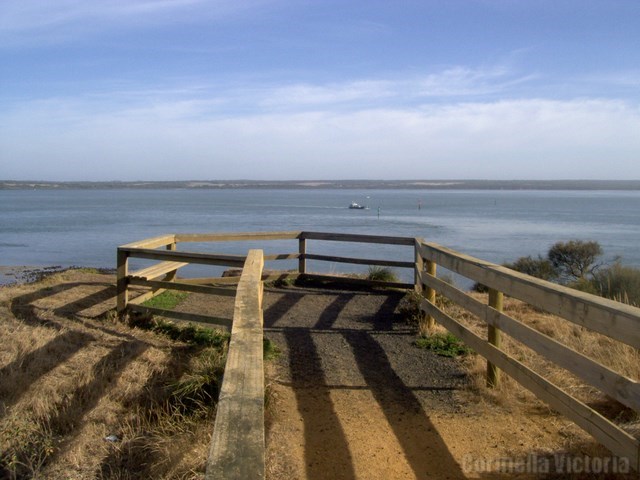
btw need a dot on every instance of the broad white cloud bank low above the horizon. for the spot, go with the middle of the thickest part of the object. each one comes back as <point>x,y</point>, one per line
<point>535,138</point>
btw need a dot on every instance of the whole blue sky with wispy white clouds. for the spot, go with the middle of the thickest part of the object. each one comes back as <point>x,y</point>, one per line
<point>323,89</point>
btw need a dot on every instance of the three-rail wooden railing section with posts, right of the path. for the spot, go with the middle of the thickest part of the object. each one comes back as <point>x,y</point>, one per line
<point>615,320</point>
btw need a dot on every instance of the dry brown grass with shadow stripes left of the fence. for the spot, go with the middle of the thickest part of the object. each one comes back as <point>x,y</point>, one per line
<point>68,382</point>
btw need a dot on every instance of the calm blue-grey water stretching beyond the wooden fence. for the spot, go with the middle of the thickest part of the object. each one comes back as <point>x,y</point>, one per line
<point>84,227</point>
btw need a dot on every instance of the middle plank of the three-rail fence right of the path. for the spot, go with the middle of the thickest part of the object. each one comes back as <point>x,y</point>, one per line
<point>623,389</point>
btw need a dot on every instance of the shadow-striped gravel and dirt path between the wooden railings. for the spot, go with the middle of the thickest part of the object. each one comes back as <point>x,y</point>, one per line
<point>352,398</point>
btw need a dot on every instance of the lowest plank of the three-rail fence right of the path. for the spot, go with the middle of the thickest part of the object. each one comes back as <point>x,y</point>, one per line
<point>608,434</point>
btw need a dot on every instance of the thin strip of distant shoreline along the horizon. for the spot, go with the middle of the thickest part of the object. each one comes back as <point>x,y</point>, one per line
<point>332,184</point>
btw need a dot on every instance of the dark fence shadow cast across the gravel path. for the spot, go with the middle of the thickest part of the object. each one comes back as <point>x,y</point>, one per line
<point>327,450</point>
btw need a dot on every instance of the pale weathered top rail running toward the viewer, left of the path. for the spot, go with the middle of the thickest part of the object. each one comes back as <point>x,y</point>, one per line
<point>237,448</point>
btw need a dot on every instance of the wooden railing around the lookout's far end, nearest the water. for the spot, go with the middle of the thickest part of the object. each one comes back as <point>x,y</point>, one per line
<point>163,275</point>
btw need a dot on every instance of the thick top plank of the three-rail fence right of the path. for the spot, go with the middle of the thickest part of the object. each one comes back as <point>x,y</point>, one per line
<point>616,320</point>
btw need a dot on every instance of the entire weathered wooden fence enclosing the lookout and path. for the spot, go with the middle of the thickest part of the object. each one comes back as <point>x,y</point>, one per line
<point>618,321</point>
